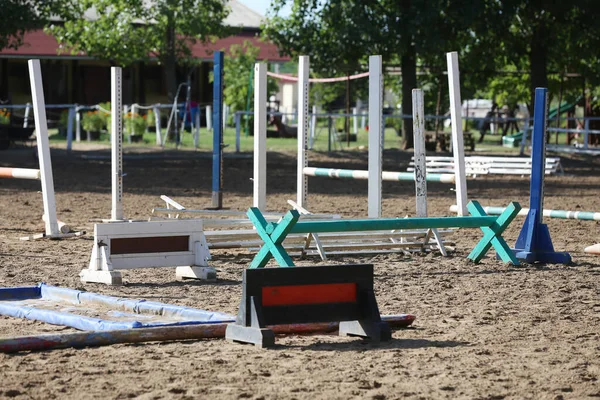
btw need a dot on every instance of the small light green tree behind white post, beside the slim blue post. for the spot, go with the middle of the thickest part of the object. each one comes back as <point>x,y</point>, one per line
<point>239,76</point>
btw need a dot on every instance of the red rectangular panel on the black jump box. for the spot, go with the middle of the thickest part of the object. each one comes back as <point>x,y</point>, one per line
<point>309,294</point>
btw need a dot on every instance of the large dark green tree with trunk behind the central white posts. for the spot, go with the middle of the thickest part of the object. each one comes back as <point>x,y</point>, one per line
<point>340,34</point>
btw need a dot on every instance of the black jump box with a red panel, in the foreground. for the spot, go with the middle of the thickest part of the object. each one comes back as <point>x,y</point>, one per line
<point>276,296</point>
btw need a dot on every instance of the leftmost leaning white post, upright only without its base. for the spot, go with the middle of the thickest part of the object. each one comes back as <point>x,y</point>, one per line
<point>43,145</point>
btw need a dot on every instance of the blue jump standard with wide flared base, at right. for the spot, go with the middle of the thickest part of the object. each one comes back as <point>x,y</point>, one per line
<point>534,243</point>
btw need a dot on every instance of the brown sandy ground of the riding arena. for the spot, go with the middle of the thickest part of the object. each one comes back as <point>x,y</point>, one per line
<point>486,331</point>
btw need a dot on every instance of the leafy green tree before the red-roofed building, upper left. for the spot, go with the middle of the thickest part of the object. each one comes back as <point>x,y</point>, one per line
<point>125,32</point>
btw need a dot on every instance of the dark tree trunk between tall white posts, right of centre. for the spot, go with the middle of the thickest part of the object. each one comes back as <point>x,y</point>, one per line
<point>409,82</point>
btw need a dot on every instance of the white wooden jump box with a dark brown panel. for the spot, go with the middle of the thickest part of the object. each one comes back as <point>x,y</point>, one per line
<point>148,244</point>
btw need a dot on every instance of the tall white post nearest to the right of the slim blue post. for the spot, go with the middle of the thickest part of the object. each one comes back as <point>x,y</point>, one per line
<point>260,136</point>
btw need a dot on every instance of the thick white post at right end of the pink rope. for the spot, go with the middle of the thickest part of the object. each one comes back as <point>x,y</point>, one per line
<point>375,135</point>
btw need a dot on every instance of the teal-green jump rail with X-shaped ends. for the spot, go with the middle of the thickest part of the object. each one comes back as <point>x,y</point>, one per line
<point>273,234</point>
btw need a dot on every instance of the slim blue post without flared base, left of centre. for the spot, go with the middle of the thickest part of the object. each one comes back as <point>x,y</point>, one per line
<point>217,194</point>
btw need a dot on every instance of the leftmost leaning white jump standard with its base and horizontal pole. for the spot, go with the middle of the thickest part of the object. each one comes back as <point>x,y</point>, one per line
<point>54,229</point>
